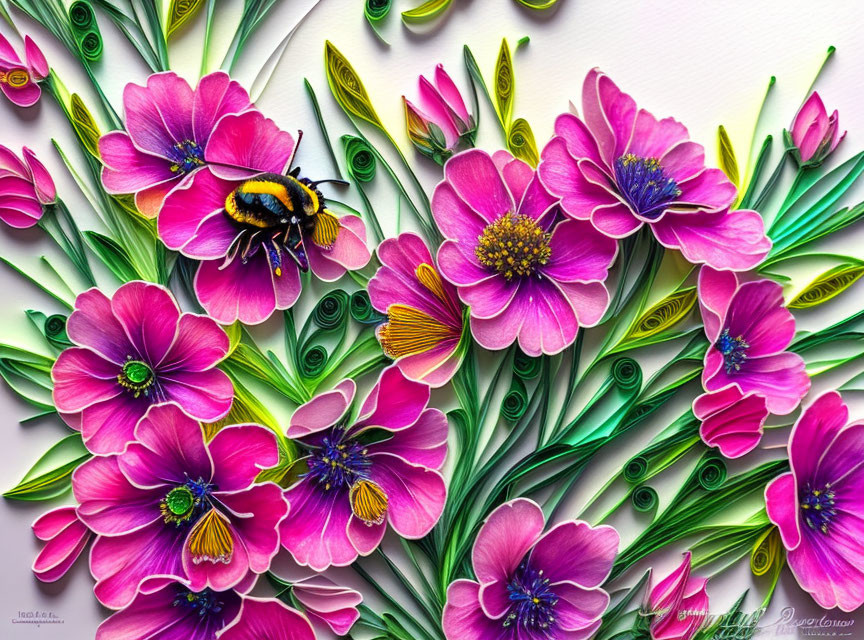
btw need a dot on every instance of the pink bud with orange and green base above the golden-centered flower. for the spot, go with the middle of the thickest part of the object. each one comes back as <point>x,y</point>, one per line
<point>442,124</point>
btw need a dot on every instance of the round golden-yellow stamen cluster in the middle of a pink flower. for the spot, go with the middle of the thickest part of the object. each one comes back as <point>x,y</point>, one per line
<point>514,246</point>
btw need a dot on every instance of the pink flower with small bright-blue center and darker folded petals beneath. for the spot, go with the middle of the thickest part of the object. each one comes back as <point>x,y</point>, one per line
<point>749,329</point>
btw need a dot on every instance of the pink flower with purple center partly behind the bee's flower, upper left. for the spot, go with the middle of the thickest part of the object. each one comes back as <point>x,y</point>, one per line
<point>169,127</point>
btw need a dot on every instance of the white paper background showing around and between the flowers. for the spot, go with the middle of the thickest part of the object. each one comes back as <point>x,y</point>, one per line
<point>706,63</point>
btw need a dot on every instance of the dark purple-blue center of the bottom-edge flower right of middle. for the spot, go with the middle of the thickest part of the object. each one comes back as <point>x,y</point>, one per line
<point>532,603</point>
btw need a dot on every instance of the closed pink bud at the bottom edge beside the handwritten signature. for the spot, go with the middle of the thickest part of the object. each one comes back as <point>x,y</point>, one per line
<point>679,603</point>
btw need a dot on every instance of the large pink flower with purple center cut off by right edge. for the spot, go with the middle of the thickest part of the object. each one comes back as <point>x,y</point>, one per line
<point>819,505</point>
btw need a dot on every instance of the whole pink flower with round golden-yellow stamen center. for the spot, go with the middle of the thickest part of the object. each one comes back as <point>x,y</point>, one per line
<point>487,204</point>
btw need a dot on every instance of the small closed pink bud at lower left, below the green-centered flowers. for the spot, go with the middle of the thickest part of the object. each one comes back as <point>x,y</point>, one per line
<point>65,537</point>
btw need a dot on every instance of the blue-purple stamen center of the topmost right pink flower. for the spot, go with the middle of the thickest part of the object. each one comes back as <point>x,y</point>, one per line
<point>644,185</point>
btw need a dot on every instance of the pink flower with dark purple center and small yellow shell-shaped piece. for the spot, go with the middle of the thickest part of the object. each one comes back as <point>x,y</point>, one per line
<point>351,487</point>
